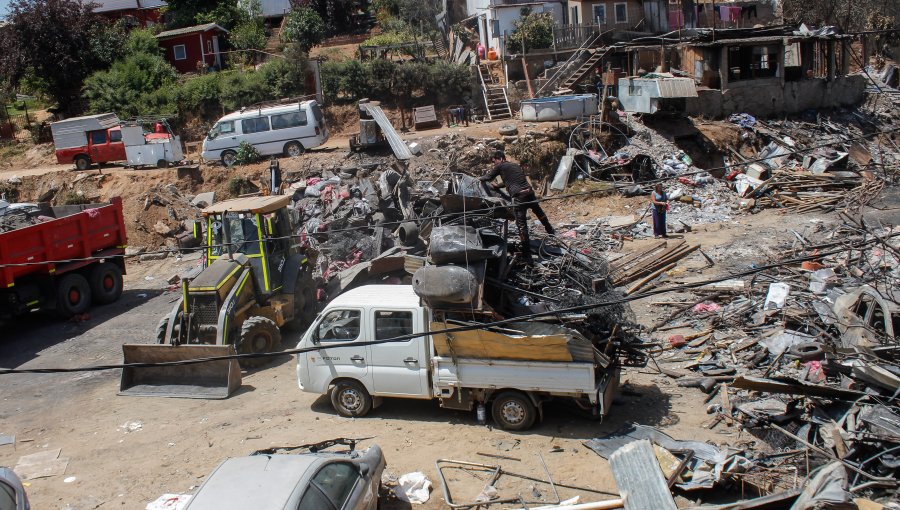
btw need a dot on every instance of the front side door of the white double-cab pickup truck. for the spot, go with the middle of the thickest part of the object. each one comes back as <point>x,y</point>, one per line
<point>325,365</point>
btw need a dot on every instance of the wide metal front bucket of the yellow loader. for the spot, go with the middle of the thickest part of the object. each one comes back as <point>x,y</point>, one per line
<point>211,380</point>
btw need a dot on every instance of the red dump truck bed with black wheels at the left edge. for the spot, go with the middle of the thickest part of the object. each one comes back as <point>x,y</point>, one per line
<point>68,259</point>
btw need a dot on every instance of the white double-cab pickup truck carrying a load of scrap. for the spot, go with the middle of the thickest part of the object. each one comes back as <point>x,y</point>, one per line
<point>358,376</point>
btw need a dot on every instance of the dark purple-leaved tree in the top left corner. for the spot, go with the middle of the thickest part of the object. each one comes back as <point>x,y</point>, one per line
<point>59,42</point>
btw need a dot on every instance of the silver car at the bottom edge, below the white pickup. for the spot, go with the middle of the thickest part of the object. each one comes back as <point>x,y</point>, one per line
<point>314,480</point>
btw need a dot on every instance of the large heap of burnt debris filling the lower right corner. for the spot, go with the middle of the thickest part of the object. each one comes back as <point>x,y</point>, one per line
<point>804,357</point>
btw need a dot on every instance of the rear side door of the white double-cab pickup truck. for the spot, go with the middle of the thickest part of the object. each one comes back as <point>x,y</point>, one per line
<point>399,368</point>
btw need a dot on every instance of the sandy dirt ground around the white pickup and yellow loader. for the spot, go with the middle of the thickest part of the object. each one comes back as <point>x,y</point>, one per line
<point>124,452</point>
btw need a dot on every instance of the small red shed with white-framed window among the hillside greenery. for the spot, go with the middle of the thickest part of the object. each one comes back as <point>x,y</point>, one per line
<point>186,47</point>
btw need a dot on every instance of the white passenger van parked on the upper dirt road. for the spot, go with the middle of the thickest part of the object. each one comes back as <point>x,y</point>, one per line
<point>287,129</point>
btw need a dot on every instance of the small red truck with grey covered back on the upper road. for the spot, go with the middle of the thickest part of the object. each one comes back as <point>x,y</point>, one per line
<point>88,140</point>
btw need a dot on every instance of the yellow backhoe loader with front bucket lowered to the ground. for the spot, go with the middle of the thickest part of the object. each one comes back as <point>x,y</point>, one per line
<point>255,280</point>
